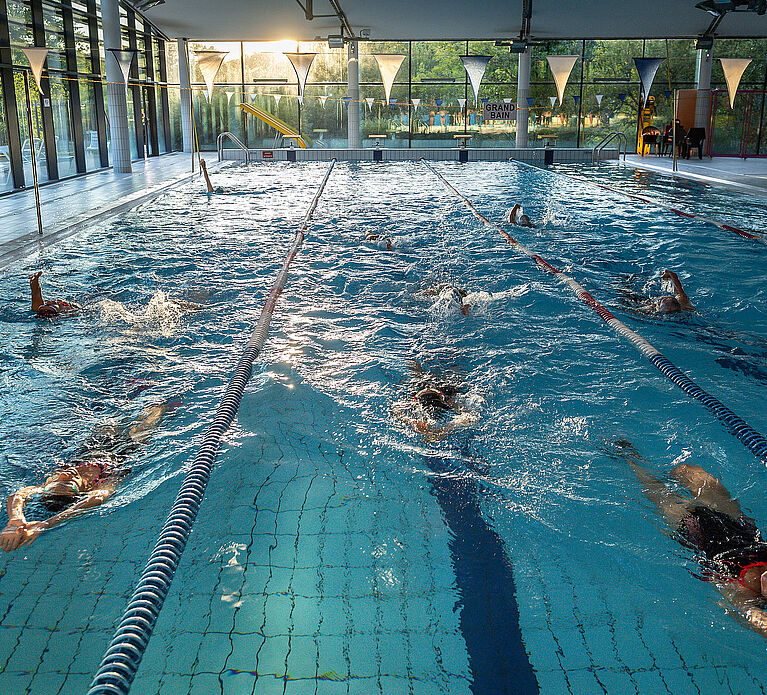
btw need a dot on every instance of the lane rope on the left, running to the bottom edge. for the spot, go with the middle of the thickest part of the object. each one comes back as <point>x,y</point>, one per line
<point>121,660</point>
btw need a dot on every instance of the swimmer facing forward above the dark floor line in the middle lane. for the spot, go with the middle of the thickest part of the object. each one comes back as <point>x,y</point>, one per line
<point>435,408</point>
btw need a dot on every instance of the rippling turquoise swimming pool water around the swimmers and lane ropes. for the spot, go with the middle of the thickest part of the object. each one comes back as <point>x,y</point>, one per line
<point>337,551</point>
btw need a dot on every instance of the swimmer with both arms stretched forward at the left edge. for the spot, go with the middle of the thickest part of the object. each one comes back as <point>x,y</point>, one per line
<point>89,479</point>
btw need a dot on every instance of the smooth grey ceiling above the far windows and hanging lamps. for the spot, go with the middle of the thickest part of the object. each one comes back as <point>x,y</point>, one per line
<point>268,20</point>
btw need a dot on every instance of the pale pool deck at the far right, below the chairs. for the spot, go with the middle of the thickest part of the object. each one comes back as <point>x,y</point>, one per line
<point>748,175</point>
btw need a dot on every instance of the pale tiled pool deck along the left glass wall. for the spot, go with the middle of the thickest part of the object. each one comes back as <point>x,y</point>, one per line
<point>69,205</point>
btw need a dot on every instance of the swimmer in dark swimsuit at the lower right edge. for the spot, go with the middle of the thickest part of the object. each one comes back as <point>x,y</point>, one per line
<point>728,545</point>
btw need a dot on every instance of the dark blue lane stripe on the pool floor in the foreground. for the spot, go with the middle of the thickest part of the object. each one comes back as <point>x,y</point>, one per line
<point>489,614</point>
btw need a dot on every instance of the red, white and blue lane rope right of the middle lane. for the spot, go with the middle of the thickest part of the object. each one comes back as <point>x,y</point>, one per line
<point>750,438</point>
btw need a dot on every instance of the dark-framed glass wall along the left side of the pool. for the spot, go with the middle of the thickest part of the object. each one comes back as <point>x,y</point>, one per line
<point>69,129</point>
